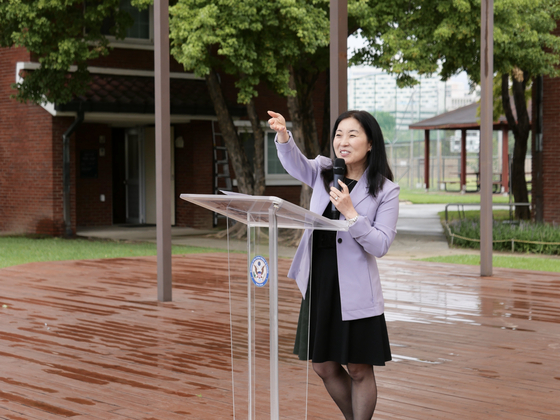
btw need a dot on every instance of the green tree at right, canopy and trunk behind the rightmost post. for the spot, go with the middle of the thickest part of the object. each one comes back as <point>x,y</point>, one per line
<point>443,36</point>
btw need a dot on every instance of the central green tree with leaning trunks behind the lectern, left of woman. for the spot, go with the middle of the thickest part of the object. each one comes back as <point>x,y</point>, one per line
<point>256,41</point>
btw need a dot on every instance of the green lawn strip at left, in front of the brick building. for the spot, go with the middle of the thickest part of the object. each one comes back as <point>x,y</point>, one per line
<point>21,250</point>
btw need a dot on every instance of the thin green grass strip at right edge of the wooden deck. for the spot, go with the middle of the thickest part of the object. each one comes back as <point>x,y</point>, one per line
<point>504,261</point>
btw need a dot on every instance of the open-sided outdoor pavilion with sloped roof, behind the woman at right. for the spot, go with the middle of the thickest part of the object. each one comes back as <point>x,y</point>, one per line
<point>463,119</point>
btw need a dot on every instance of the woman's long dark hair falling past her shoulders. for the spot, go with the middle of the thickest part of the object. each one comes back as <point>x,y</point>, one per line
<point>376,160</point>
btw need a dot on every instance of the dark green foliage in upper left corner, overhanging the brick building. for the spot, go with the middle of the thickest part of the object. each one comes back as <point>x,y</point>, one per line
<point>60,34</point>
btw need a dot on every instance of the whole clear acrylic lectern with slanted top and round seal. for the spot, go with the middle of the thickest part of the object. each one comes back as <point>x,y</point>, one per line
<point>254,302</point>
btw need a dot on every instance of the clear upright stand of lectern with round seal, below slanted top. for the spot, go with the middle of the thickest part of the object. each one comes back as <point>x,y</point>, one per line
<point>251,356</point>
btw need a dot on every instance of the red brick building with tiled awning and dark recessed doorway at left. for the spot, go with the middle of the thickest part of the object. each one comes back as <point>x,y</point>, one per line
<point>112,152</point>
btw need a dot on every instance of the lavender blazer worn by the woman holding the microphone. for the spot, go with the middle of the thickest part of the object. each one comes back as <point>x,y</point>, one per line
<point>357,249</point>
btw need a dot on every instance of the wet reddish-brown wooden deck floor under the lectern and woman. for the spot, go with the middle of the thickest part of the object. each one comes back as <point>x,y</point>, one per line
<point>88,340</point>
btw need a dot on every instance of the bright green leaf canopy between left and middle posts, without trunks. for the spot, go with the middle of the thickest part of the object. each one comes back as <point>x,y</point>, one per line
<point>256,40</point>
